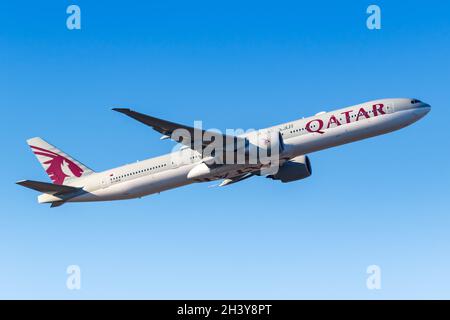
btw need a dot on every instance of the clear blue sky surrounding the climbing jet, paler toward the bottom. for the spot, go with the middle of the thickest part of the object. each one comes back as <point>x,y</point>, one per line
<point>231,64</point>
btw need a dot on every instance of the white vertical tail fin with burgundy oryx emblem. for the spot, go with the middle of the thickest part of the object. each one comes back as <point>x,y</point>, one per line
<point>60,167</point>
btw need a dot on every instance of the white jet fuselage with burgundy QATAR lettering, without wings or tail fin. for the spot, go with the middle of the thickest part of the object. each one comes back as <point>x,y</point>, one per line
<point>304,136</point>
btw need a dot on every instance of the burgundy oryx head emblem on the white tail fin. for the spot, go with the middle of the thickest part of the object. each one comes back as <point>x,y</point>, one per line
<point>58,167</point>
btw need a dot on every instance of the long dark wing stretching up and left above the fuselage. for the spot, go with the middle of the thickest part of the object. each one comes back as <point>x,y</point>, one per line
<point>183,134</point>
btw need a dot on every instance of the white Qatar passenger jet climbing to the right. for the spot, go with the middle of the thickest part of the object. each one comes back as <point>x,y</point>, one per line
<point>287,146</point>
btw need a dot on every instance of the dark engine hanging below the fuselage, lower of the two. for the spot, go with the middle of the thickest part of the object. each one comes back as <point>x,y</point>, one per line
<point>295,169</point>
